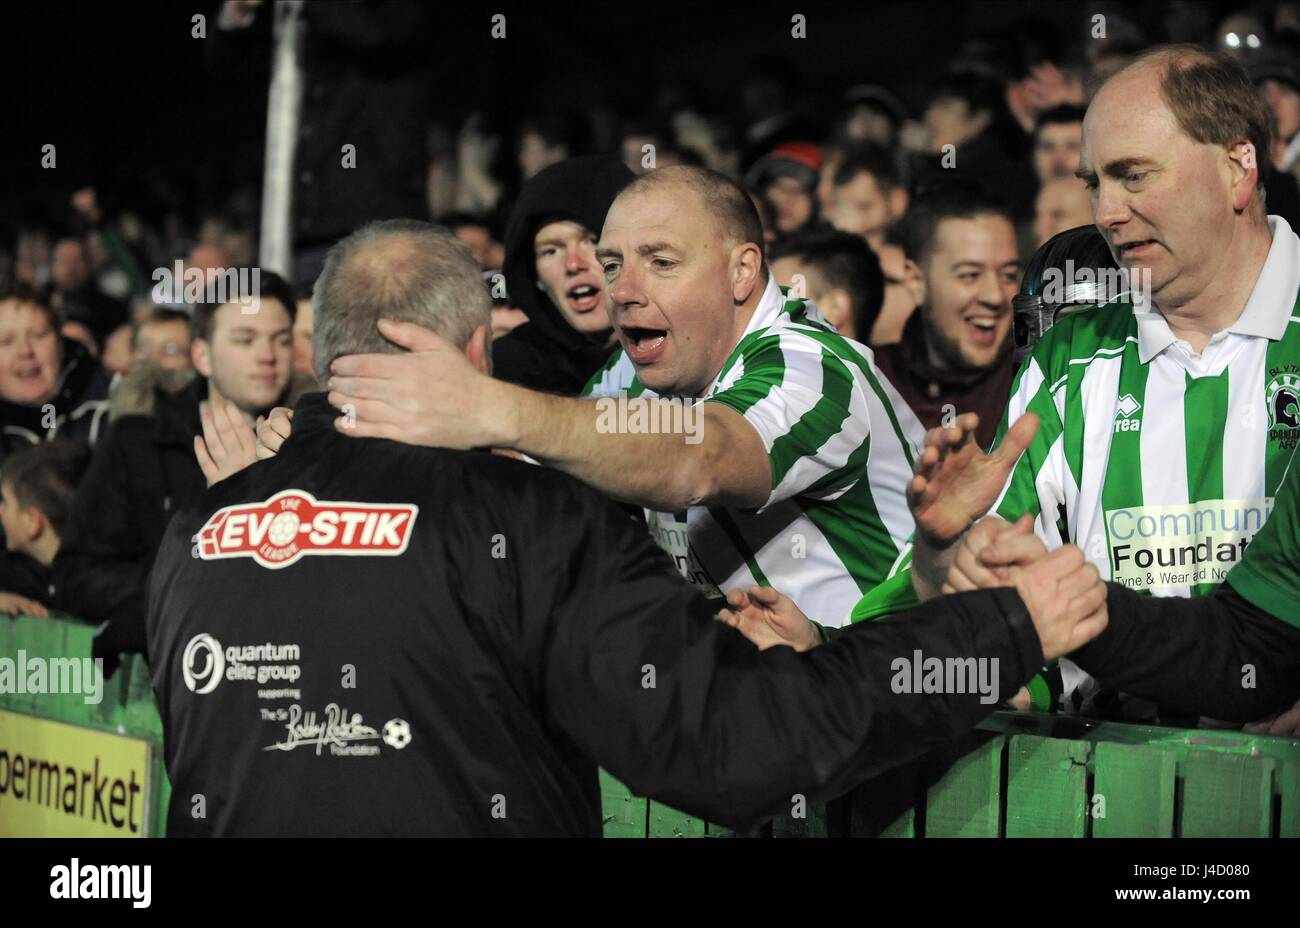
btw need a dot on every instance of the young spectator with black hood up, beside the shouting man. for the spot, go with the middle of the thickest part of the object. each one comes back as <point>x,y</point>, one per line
<point>553,276</point>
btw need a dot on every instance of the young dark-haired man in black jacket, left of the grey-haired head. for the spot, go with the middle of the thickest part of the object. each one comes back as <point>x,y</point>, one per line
<point>145,470</point>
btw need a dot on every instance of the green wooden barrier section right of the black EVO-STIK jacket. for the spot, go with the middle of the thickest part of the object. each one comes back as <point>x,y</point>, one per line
<point>1024,774</point>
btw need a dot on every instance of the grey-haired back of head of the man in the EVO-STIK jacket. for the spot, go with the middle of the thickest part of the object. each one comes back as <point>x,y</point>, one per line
<point>400,270</point>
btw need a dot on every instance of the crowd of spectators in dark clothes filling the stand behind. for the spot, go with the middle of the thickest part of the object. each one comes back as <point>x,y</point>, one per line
<point>907,223</point>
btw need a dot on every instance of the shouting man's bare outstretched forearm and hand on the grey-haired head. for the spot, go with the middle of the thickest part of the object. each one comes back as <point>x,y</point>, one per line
<point>434,396</point>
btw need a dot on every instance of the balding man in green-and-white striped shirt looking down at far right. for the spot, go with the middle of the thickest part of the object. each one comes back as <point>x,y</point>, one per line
<point>1165,426</point>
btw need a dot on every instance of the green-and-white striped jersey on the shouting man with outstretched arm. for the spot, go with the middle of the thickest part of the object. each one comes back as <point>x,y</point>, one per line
<point>842,445</point>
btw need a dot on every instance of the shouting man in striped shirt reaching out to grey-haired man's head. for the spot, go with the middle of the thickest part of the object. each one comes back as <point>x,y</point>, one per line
<point>765,446</point>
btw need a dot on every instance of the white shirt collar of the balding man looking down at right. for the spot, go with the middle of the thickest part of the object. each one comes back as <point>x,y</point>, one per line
<point>1266,314</point>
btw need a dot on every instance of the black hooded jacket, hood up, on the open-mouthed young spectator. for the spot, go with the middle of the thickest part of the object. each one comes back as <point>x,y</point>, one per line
<point>547,353</point>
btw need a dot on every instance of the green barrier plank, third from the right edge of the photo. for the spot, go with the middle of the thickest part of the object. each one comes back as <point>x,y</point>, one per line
<point>1134,792</point>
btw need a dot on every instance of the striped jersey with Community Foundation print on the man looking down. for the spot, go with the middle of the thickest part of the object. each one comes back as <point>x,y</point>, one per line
<point>1160,463</point>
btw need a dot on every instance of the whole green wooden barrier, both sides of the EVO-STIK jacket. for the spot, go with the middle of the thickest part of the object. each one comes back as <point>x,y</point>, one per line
<point>1019,774</point>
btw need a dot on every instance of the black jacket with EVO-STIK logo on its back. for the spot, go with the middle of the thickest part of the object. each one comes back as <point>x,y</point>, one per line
<point>517,631</point>
